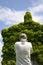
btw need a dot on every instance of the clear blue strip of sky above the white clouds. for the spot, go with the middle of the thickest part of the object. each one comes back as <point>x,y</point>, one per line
<point>18,4</point>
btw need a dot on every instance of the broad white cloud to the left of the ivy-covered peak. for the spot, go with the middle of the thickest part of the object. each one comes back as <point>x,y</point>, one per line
<point>9,16</point>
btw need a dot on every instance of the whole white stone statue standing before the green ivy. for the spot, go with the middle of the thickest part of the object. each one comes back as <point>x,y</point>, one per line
<point>23,49</point>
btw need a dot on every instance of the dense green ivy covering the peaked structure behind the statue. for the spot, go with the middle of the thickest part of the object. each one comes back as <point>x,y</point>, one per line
<point>34,31</point>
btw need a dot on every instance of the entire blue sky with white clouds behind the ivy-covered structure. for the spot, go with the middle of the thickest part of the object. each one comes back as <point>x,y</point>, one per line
<point>12,12</point>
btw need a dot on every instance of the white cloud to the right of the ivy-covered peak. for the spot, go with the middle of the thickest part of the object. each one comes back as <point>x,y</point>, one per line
<point>37,13</point>
